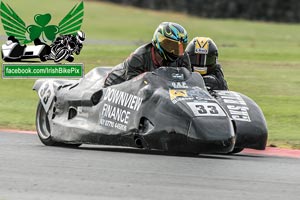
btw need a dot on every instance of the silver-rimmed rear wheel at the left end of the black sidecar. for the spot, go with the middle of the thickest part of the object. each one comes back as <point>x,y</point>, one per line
<point>43,124</point>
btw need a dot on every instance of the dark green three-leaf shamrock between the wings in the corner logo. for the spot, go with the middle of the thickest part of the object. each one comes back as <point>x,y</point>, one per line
<point>42,28</point>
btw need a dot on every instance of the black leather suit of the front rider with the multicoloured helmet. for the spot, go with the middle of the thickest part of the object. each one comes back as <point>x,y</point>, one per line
<point>140,61</point>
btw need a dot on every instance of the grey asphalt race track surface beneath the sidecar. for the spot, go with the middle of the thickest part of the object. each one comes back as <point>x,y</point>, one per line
<point>30,170</point>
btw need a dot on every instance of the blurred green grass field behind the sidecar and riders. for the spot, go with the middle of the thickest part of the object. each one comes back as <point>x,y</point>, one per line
<point>260,60</point>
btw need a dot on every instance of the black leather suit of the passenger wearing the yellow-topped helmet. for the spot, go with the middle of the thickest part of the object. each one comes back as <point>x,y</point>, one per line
<point>214,80</point>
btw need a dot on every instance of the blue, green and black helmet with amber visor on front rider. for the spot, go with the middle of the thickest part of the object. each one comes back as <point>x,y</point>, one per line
<point>170,40</point>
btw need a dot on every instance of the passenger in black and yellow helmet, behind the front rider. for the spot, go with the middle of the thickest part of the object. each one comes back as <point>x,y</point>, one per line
<point>203,53</point>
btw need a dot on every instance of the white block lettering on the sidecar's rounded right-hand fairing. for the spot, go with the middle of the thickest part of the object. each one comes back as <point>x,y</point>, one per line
<point>236,106</point>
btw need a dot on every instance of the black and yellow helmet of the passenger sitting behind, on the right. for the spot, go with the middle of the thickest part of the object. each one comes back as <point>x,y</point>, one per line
<point>203,54</point>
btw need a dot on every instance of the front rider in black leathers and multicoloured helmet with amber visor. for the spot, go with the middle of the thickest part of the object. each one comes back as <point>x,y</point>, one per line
<point>166,49</point>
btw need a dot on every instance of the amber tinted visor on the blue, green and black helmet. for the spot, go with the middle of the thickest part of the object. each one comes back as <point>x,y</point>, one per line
<point>173,47</point>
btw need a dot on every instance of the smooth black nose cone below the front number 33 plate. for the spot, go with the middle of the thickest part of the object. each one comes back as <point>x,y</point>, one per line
<point>211,135</point>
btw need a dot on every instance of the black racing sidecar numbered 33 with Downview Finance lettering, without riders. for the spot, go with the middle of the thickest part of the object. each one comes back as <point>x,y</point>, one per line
<point>168,109</point>
